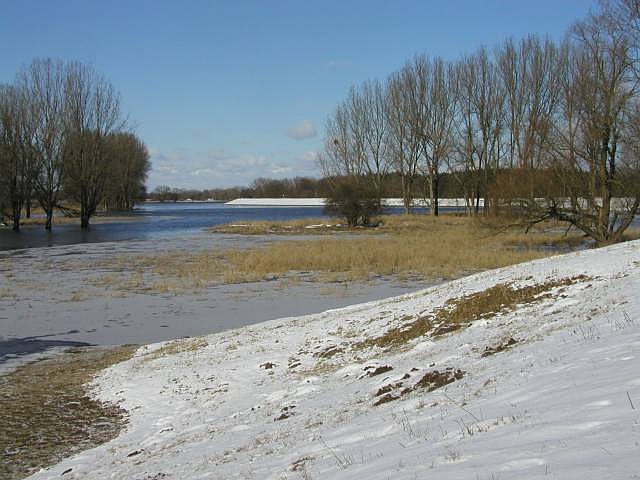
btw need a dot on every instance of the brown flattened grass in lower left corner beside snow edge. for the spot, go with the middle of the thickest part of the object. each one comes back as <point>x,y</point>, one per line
<point>46,413</point>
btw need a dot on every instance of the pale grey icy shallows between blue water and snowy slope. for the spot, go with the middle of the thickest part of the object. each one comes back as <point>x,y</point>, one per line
<point>78,306</point>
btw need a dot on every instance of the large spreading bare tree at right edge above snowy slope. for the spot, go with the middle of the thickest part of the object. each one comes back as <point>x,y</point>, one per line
<point>596,136</point>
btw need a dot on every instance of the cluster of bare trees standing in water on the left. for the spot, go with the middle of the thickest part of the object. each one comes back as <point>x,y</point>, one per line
<point>63,136</point>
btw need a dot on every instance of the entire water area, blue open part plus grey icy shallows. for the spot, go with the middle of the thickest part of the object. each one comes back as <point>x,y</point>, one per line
<point>55,290</point>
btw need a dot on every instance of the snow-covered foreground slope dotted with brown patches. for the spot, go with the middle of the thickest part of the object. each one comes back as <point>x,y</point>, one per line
<point>295,398</point>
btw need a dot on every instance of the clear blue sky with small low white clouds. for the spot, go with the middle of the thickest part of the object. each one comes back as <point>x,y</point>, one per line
<point>225,92</point>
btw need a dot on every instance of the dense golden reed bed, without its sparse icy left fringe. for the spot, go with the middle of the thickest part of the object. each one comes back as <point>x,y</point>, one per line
<point>413,245</point>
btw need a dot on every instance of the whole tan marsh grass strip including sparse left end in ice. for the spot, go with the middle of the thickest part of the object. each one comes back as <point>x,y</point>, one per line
<point>403,246</point>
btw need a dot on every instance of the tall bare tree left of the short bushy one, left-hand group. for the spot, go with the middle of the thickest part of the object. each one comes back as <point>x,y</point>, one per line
<point>92,114</point>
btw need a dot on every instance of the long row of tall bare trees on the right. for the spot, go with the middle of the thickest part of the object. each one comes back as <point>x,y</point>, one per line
<point>545,129</point>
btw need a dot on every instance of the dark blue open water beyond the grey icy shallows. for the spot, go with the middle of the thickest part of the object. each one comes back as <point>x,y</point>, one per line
<point>150,221</point>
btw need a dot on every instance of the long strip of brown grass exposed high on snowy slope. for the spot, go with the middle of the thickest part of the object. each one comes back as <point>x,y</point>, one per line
<point>458,313</point>
